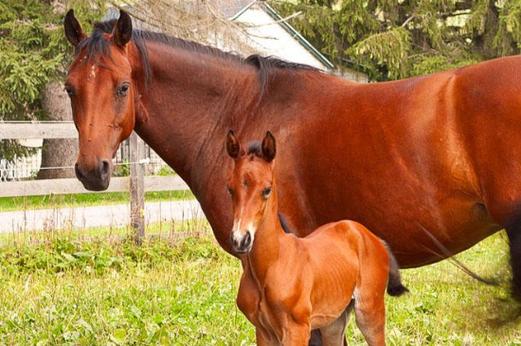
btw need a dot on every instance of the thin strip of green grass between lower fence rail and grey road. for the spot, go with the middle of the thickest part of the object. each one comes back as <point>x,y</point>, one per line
<point>84,199</point>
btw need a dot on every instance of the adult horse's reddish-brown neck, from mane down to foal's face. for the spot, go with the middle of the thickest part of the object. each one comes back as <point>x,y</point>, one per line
<point>192,102</point>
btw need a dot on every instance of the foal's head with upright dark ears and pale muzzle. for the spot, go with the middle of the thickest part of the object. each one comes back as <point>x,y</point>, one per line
<point>250,184</point>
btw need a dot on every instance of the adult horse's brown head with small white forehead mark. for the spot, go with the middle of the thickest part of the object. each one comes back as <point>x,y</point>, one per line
<point>103,92</point>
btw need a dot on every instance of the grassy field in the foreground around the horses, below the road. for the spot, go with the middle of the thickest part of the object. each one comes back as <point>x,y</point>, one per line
<point>60,290</point>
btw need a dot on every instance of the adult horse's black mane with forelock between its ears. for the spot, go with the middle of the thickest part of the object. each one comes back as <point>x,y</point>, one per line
<point>96,45</point>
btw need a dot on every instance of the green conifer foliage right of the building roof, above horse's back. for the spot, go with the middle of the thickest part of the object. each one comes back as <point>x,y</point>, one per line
<point>391,39</point>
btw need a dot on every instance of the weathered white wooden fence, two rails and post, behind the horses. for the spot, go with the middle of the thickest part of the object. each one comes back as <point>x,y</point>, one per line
<point>137,183</point>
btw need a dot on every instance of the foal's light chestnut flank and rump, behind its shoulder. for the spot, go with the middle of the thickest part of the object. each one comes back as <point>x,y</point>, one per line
<point>346,260</point>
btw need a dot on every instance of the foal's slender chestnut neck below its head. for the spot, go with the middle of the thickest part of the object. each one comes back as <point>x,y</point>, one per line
<point>269,242</point>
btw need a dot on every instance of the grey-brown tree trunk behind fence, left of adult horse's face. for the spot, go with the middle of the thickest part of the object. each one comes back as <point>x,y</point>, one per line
<point>57,152</point>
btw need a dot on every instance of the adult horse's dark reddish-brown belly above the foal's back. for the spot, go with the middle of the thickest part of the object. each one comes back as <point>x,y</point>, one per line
<point>419,231</point>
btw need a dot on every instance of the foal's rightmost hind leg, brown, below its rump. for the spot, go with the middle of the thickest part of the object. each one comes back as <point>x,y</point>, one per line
<point>370,315</point>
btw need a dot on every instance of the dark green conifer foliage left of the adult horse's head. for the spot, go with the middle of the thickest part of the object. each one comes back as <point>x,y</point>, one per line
<point>33,51</point>
